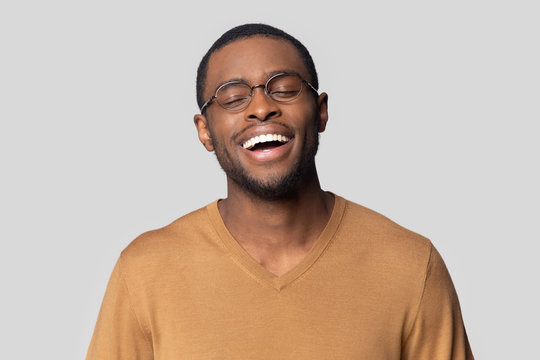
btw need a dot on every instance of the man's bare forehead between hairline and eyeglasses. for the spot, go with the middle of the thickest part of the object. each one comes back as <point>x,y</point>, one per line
<point>253,59</point>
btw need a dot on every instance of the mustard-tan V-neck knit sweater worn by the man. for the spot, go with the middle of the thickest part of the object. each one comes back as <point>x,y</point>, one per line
<point>367,289</point>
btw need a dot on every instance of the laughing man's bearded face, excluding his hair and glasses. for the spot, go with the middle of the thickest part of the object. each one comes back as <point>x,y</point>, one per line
<point>271,169</point>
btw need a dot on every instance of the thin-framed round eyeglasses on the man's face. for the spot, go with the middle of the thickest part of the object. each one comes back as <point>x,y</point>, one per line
<point>236,95</point>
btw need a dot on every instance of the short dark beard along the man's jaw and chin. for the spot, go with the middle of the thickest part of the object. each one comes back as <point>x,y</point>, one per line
<point>275,187</point>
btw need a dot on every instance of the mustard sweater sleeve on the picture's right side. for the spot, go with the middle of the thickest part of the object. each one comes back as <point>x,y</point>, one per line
<point>438,332</point>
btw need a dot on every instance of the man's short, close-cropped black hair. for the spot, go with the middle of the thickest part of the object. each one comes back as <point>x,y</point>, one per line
<point>246,31</point>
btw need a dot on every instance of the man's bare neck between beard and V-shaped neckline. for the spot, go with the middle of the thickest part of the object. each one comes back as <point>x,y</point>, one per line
<point>277,225</point>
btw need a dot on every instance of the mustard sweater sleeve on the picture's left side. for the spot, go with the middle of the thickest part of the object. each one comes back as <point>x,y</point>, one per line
<point>118,333</point>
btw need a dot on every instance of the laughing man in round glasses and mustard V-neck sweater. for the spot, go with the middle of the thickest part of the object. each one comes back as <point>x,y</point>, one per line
<point>280,269</point>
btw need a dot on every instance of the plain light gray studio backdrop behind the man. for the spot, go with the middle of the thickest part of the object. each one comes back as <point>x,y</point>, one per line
<point>434,118</point>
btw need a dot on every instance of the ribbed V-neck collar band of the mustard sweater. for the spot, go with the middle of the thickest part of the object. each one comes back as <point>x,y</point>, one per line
<point>256,270</point>
